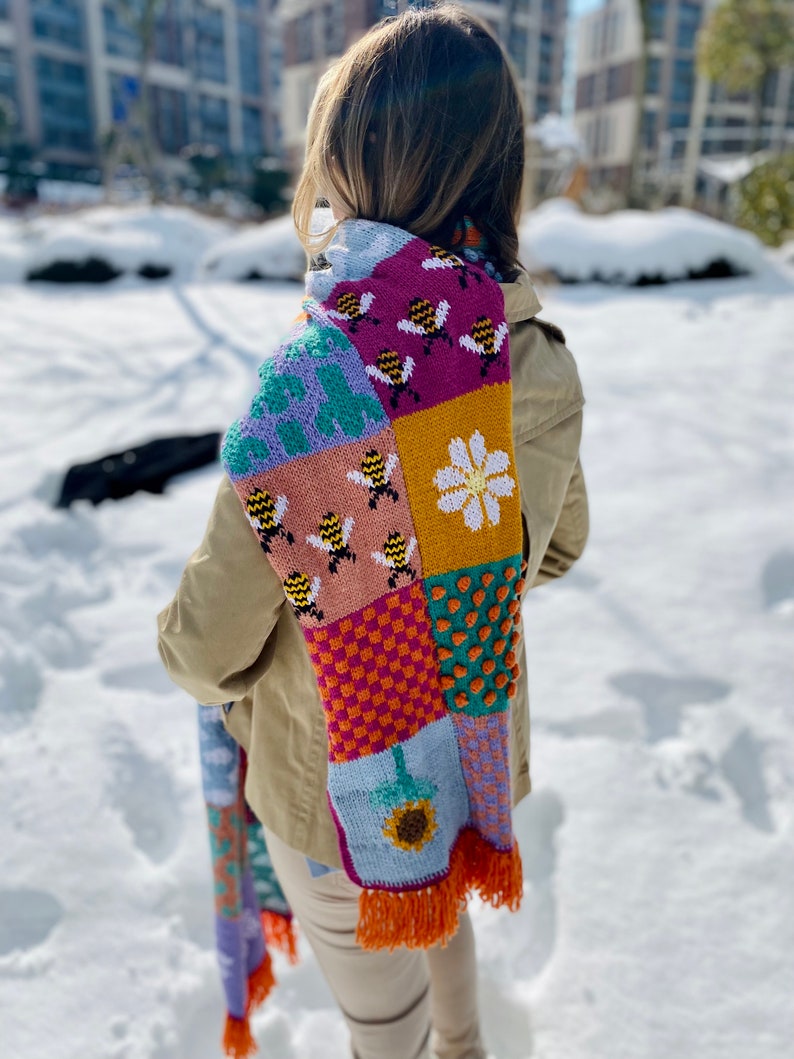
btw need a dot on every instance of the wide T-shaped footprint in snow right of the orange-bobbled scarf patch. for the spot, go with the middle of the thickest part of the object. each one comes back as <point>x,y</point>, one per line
<point>663,698</point>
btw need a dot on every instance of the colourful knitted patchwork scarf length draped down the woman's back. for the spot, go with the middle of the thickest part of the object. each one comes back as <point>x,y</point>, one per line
<point>376,468</point>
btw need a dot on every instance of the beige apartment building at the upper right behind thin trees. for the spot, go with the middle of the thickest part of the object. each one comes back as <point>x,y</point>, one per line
<point>609,50</point>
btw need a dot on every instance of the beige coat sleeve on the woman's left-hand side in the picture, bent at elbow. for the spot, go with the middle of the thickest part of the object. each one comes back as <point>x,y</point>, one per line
<point>219,635</point>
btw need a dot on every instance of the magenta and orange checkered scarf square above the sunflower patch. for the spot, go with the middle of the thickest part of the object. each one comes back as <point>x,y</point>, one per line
<point>378,675</point>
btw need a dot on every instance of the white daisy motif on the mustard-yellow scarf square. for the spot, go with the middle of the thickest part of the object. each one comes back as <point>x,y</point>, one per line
<point>475,480</point>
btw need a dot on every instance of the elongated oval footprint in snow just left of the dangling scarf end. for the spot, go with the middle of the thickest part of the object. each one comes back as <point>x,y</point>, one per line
<point>143,793</point>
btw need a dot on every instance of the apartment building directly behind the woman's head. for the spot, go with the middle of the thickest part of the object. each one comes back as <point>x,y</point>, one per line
<point>316,31</point>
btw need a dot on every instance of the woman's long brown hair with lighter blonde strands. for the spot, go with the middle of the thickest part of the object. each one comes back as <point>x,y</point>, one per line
<point>418,124</point>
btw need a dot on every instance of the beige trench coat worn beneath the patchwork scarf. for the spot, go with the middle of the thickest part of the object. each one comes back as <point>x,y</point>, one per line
<point>229,637</point>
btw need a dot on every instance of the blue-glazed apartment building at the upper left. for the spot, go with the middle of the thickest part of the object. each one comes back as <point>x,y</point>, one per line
<point>73,69</point>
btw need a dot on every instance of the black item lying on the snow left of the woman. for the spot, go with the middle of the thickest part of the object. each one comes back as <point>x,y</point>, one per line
<point>145,468</point>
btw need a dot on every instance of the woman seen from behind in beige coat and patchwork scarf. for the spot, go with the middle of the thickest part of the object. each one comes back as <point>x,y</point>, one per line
<point>408,469</point>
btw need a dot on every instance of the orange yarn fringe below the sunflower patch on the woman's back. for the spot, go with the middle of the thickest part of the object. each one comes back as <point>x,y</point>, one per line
<point>421,919</point>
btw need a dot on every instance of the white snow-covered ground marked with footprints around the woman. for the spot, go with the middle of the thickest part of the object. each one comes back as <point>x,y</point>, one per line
<point>659,843</point>
